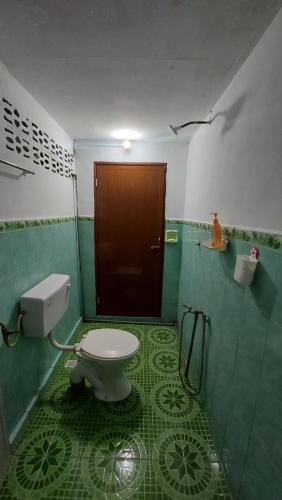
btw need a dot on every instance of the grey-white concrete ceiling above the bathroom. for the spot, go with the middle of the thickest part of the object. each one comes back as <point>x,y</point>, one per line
<point>102,65</point>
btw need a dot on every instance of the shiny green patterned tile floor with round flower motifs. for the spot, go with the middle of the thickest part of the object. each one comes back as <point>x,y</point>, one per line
<point>154,445</point>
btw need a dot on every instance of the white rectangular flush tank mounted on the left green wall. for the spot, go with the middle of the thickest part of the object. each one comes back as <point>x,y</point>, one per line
<point>45,304</point>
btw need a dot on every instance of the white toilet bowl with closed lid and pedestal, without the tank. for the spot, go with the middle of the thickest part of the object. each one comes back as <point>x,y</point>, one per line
<point>104,354</point>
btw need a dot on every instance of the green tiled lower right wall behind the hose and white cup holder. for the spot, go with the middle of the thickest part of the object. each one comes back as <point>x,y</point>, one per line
<point>242,381</point>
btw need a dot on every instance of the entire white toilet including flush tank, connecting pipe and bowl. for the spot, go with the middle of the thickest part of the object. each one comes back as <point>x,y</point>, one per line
<point>104,353</point>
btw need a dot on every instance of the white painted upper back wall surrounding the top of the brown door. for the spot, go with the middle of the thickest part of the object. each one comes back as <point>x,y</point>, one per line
<point>172,153</point>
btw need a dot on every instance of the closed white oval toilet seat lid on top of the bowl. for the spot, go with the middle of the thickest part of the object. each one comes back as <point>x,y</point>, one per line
<point>109,343</point>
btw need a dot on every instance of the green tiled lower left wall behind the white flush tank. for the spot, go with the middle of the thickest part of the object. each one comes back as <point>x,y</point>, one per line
<point>28,255</point>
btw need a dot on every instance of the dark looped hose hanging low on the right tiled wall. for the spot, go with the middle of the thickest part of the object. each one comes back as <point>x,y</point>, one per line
<point>187,388</point>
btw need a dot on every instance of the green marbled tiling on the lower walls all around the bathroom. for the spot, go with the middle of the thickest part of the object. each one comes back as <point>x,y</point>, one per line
<point>242,385</point>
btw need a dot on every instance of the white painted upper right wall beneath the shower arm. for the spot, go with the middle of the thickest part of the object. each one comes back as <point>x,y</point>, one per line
<point>235,165</point>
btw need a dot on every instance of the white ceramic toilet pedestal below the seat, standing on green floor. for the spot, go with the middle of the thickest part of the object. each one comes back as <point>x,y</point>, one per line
<point>108,379</point>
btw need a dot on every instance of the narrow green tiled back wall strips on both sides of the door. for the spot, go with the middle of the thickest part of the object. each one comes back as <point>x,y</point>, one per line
<point>172,262</point>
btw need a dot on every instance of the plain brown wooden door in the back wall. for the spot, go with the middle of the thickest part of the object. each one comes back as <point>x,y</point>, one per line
<point>129,238</point>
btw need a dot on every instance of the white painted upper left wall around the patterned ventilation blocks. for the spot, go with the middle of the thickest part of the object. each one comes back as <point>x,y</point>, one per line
<point>45,194</point>
